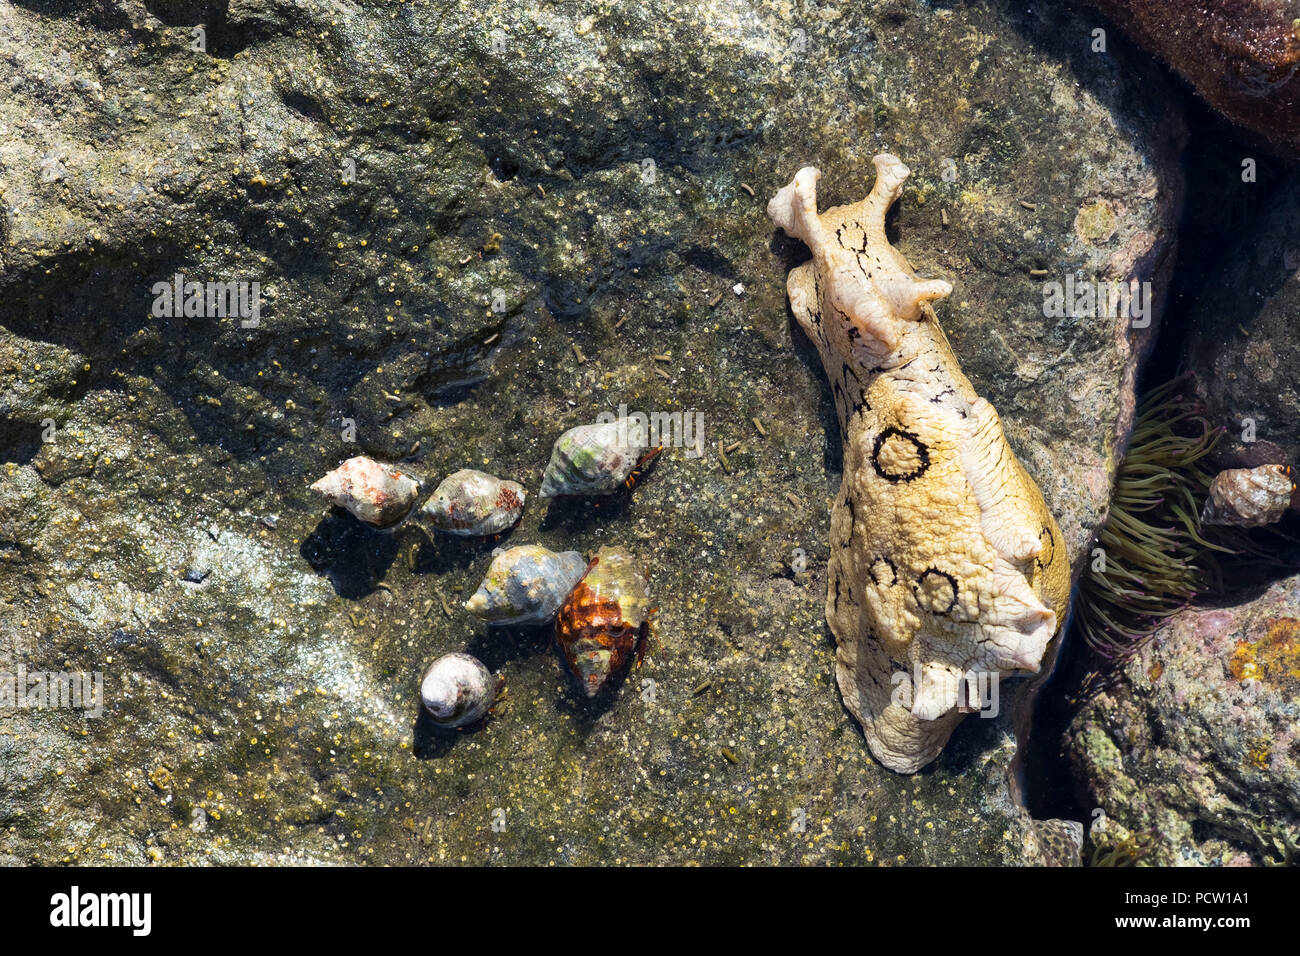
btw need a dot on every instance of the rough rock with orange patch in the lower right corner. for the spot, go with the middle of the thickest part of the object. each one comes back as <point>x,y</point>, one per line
<point>1197,749</point>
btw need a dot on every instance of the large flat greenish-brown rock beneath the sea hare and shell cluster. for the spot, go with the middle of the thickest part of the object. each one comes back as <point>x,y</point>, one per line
<point>473,230</point>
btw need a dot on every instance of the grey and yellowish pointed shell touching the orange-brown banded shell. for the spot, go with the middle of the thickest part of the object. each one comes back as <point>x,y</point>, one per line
<point>526,586</point>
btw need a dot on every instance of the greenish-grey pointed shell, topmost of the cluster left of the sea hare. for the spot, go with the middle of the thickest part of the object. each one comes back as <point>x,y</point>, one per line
<point>595,460</point>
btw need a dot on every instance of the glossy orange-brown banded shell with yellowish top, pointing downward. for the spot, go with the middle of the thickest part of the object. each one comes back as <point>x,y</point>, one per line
<point>605,620</point>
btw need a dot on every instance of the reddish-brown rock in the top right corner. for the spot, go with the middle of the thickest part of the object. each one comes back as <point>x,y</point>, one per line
<point>1241,55</point>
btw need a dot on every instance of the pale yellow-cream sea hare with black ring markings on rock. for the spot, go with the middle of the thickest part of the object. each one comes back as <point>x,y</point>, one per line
<point>947,568</point>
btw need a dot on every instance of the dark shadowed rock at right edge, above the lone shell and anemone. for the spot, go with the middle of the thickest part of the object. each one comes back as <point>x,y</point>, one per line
<point>1243,340</point>
